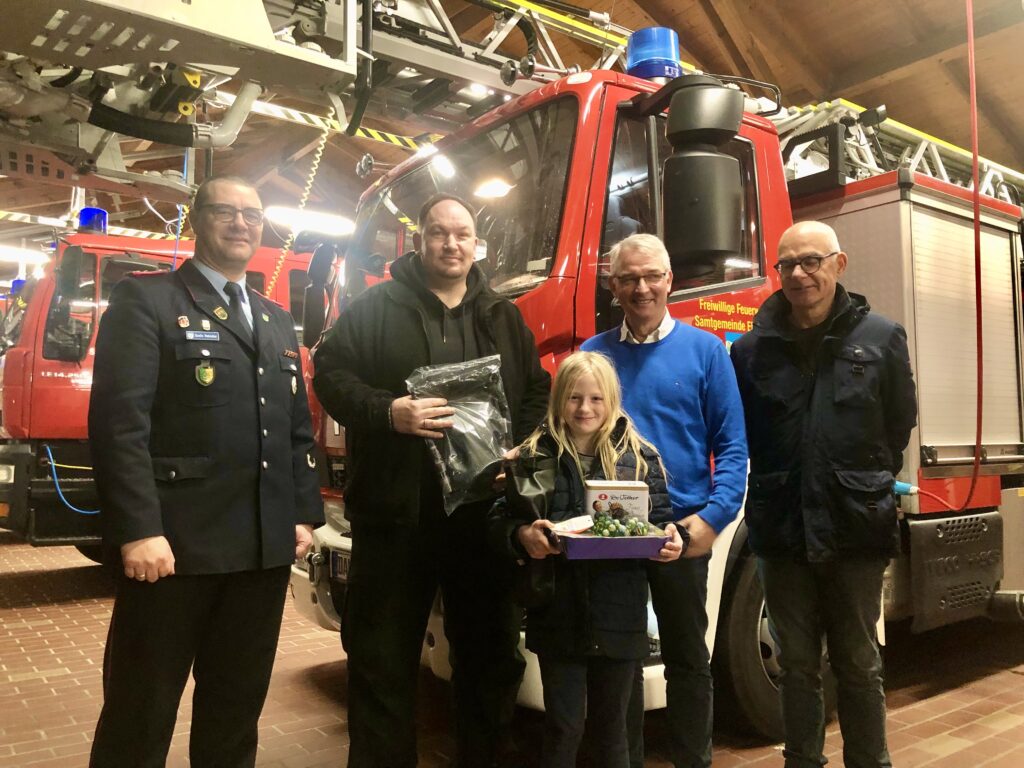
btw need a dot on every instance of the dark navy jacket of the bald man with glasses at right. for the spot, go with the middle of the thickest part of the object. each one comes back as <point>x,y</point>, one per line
<point>826,437</point>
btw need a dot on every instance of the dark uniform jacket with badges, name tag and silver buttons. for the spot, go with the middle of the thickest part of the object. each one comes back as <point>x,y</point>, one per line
<point>196,435</point>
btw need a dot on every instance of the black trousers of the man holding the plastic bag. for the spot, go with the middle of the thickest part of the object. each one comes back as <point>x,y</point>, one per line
<point>393,580</point>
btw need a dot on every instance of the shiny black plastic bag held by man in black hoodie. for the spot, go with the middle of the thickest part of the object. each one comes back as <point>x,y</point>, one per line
<point>470,456</point>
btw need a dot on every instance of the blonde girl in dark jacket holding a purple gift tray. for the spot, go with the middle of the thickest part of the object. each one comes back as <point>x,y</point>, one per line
<point>592,629</point>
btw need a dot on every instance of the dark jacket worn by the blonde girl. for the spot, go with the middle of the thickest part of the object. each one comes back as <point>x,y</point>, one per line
<point>596,608</point>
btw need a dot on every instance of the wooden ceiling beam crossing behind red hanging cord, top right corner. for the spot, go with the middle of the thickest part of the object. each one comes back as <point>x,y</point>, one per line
<point>947,46</point>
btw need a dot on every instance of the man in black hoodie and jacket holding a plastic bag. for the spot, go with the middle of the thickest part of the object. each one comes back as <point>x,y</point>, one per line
<point>437,310</point>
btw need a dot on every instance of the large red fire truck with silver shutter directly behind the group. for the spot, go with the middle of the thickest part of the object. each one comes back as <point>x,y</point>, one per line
<point>566,172</point>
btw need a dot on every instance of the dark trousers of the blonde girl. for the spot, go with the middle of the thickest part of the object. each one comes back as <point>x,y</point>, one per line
<point>577,691</point>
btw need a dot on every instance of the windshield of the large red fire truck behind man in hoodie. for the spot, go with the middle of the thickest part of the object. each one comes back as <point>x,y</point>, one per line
<point>516,174</point>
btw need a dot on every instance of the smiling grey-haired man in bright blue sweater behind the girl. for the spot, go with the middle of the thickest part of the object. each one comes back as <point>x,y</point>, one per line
<point>680,390</point>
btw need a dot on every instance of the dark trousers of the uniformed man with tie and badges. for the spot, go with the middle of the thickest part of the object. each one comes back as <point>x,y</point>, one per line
<point>225,628</point>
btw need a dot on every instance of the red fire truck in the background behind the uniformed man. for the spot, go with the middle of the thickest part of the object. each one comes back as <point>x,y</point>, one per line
<point>48,344</point>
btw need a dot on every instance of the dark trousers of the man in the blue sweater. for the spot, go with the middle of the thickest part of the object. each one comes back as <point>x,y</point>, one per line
<point>679,591</point>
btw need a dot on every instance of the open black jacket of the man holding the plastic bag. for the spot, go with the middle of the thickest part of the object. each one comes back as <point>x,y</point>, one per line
<point>362,368</point>
